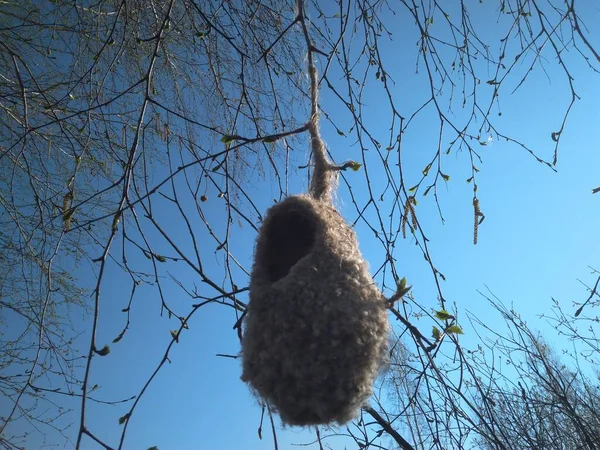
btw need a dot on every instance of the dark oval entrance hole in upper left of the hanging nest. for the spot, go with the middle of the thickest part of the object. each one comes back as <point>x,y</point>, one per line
<point>290,237</point>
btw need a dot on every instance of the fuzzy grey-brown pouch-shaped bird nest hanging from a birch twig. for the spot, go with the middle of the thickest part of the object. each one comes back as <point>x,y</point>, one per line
<point>316,331</point>
